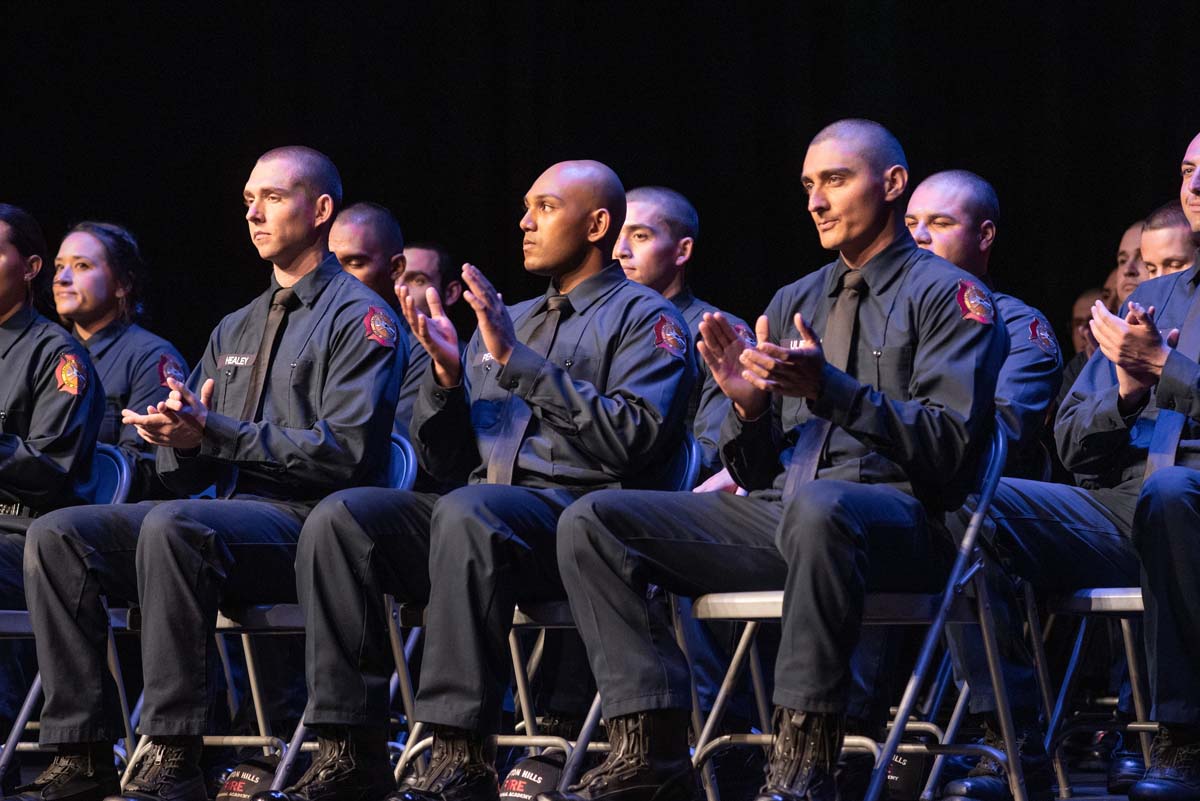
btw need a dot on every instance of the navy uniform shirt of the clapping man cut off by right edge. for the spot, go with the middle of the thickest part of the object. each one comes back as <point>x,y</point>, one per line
<point>1094,438</point>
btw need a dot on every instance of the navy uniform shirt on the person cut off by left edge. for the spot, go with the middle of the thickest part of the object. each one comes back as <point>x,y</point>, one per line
<point>51,408</point>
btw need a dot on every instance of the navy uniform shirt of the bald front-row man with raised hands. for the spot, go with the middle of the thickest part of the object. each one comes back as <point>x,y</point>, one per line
<point>607,402</point>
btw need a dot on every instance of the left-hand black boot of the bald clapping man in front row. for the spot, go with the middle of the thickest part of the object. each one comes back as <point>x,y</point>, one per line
<point>351,766</point>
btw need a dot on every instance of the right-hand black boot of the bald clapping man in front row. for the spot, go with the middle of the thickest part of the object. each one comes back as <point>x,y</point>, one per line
<point>459,772</point>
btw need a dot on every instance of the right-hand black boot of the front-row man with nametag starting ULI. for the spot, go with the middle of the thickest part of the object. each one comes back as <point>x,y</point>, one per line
<point>805,758</point>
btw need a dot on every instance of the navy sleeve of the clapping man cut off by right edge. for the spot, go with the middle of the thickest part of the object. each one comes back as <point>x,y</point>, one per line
<point>1091,435</point>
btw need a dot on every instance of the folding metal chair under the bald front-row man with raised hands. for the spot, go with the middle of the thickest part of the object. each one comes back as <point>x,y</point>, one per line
<point>677,474</point>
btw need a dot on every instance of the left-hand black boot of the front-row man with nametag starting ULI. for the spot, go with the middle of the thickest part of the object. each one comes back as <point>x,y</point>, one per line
<point>650,762</point>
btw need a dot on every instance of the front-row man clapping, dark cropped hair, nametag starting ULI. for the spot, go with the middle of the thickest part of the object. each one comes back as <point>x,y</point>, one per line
<point>851,451</point>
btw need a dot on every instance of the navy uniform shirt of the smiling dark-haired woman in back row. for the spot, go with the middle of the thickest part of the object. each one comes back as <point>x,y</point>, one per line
<point>134,366</point>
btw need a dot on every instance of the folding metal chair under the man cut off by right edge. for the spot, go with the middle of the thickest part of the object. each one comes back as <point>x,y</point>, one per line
<point>1124,605</point>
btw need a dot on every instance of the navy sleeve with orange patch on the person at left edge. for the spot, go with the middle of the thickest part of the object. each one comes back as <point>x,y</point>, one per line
<point>64,426</point>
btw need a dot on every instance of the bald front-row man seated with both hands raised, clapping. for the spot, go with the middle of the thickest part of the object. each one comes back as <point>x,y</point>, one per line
<point>577,390</point>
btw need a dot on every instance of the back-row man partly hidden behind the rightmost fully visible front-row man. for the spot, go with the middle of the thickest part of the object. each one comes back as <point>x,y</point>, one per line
<point>955,214</point>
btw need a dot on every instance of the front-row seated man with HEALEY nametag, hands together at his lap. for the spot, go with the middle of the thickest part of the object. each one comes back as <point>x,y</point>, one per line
<point>293,400</point>
